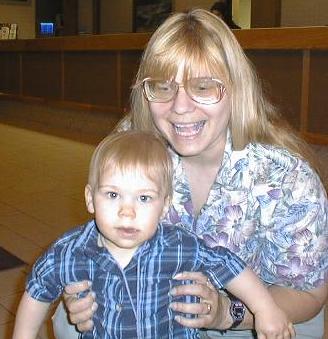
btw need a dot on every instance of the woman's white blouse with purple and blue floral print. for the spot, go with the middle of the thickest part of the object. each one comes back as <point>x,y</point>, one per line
<point>267,206</point>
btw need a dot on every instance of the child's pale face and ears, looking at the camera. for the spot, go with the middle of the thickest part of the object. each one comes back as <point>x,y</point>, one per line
<point>127,209</point>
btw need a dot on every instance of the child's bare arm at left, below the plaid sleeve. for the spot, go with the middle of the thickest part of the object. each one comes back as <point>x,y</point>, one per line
<point>30,316</point>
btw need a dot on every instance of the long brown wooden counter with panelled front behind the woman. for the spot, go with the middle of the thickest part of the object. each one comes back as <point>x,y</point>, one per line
<point>94,73</point>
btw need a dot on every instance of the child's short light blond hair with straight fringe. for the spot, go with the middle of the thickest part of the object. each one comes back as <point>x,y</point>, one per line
<point>137,151</point>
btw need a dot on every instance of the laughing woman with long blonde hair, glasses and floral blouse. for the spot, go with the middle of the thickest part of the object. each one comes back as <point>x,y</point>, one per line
<point>242,179</point>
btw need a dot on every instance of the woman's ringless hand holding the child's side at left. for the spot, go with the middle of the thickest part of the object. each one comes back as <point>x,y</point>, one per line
<point>80,309</point>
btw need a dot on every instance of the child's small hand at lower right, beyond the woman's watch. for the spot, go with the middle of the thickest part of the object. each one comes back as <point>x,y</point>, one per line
<point>273,324</point>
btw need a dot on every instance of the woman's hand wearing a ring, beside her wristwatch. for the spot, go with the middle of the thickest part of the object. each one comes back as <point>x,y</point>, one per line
<point>213,308</point>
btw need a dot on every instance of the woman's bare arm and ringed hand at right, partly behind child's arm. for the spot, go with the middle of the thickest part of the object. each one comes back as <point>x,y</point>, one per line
<point>289,300</point>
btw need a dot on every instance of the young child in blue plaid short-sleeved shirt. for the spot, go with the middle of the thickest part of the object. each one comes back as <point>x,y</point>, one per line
<point>131,258</point>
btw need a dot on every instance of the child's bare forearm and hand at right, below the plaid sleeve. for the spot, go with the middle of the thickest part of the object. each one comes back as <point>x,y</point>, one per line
<point>270,320</point>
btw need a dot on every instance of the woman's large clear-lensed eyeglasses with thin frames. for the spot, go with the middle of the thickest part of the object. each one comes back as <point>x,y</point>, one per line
<point>202,90</point>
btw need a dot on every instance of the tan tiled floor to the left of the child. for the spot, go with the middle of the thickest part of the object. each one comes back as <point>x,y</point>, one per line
<point>41,195</point>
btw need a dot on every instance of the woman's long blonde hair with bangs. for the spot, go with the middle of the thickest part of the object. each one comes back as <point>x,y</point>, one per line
<point>204,43</point>
